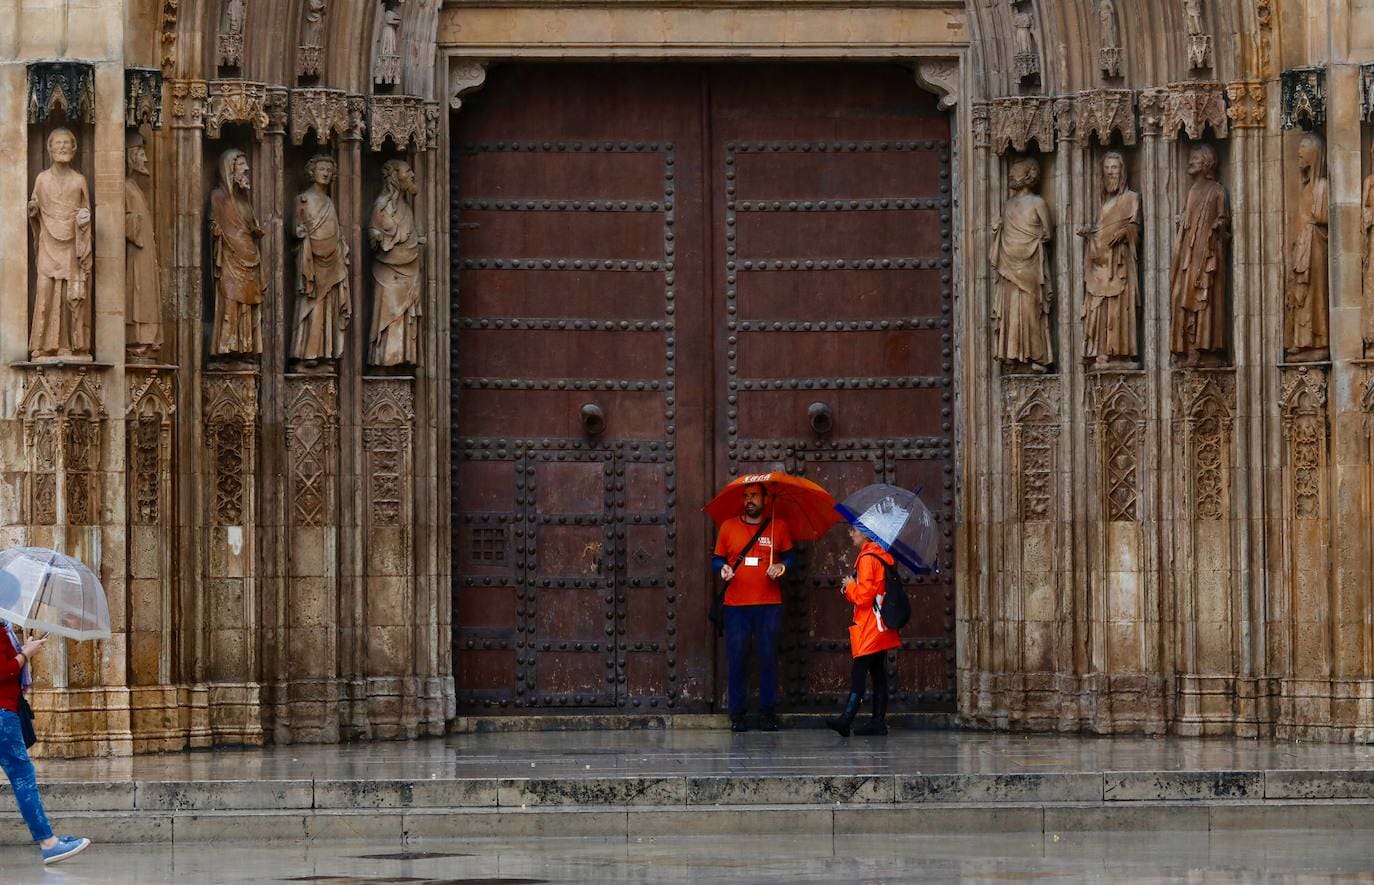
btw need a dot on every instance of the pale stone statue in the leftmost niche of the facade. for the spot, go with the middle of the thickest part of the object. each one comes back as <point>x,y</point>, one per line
<point>60,216</point>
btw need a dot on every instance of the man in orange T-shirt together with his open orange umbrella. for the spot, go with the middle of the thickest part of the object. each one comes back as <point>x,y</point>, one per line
<point>761,517</point>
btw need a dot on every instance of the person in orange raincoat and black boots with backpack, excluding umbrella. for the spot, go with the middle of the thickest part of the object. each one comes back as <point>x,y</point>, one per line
<point>869,637</point>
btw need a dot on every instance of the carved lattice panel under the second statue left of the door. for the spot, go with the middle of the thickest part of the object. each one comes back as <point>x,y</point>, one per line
<point>311,421</point>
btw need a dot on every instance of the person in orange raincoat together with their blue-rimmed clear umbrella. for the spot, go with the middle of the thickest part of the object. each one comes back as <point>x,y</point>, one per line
<point>887,526</point>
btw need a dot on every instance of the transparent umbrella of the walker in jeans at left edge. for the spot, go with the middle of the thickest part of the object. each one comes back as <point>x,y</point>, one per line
<point>45,590</point>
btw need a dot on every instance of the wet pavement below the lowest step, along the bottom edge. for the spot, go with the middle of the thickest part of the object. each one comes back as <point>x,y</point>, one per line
<point>1294,857</point>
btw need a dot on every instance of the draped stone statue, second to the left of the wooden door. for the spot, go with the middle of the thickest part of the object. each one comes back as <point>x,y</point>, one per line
<point>324,306</point>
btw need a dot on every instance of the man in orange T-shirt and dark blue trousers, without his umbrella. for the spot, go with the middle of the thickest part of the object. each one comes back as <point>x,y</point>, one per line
<point>752,554</point>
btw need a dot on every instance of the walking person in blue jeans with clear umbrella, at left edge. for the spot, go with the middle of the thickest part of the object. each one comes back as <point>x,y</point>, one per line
<point>41,589</point>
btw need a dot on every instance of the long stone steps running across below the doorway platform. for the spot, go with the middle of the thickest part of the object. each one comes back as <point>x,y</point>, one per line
<point>567,805</point>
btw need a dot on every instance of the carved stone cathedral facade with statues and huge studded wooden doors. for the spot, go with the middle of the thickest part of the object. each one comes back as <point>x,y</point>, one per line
<point>380,355</point>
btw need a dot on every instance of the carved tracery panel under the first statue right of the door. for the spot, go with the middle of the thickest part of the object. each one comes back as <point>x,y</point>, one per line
<point>1033,427</point>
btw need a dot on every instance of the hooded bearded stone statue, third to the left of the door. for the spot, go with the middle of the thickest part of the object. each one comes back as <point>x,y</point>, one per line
<point>240,287</point>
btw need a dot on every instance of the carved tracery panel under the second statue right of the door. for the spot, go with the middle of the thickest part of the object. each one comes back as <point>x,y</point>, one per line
<point>1119,412</point>
